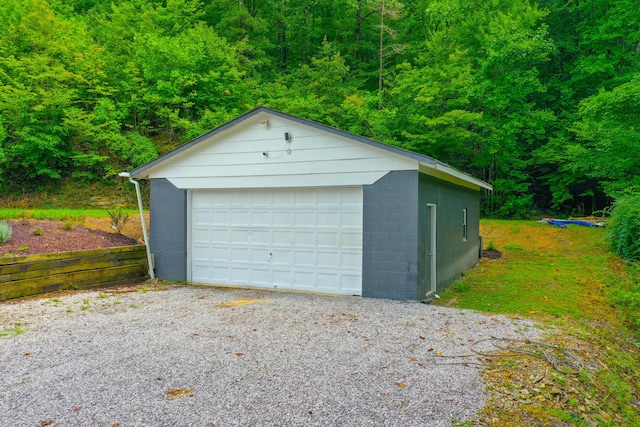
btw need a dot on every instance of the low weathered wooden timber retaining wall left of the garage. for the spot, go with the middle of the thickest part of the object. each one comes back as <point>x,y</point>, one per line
<point>35,274</point>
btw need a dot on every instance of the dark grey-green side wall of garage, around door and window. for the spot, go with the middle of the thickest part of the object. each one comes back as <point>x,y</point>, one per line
<point>454,254</point>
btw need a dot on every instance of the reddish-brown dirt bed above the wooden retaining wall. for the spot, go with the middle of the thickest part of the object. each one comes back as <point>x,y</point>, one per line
<point>31,237</point>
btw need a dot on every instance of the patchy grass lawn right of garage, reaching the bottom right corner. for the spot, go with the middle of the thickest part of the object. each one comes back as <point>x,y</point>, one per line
<point>564,278</point>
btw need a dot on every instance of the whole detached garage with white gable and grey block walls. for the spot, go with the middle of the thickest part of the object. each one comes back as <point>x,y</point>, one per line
<point>270,200</point>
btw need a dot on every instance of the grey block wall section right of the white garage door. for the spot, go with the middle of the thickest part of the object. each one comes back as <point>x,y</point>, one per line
<point>390,237</point>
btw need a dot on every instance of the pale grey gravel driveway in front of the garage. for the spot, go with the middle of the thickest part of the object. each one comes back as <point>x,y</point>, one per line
<point>193,356</point>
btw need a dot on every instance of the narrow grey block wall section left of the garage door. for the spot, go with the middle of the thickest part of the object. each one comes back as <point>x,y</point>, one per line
<point>168,236</point>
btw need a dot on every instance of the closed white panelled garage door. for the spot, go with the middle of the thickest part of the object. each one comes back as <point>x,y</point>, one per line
<point>306,239</point>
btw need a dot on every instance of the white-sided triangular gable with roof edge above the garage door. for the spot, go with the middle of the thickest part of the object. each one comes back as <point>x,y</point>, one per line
<point>252,151</point>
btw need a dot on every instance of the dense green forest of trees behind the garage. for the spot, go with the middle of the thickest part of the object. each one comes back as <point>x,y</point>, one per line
<point>540,98</point>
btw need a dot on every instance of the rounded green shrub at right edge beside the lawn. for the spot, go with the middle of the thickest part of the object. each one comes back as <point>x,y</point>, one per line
<point>624,227</point>
